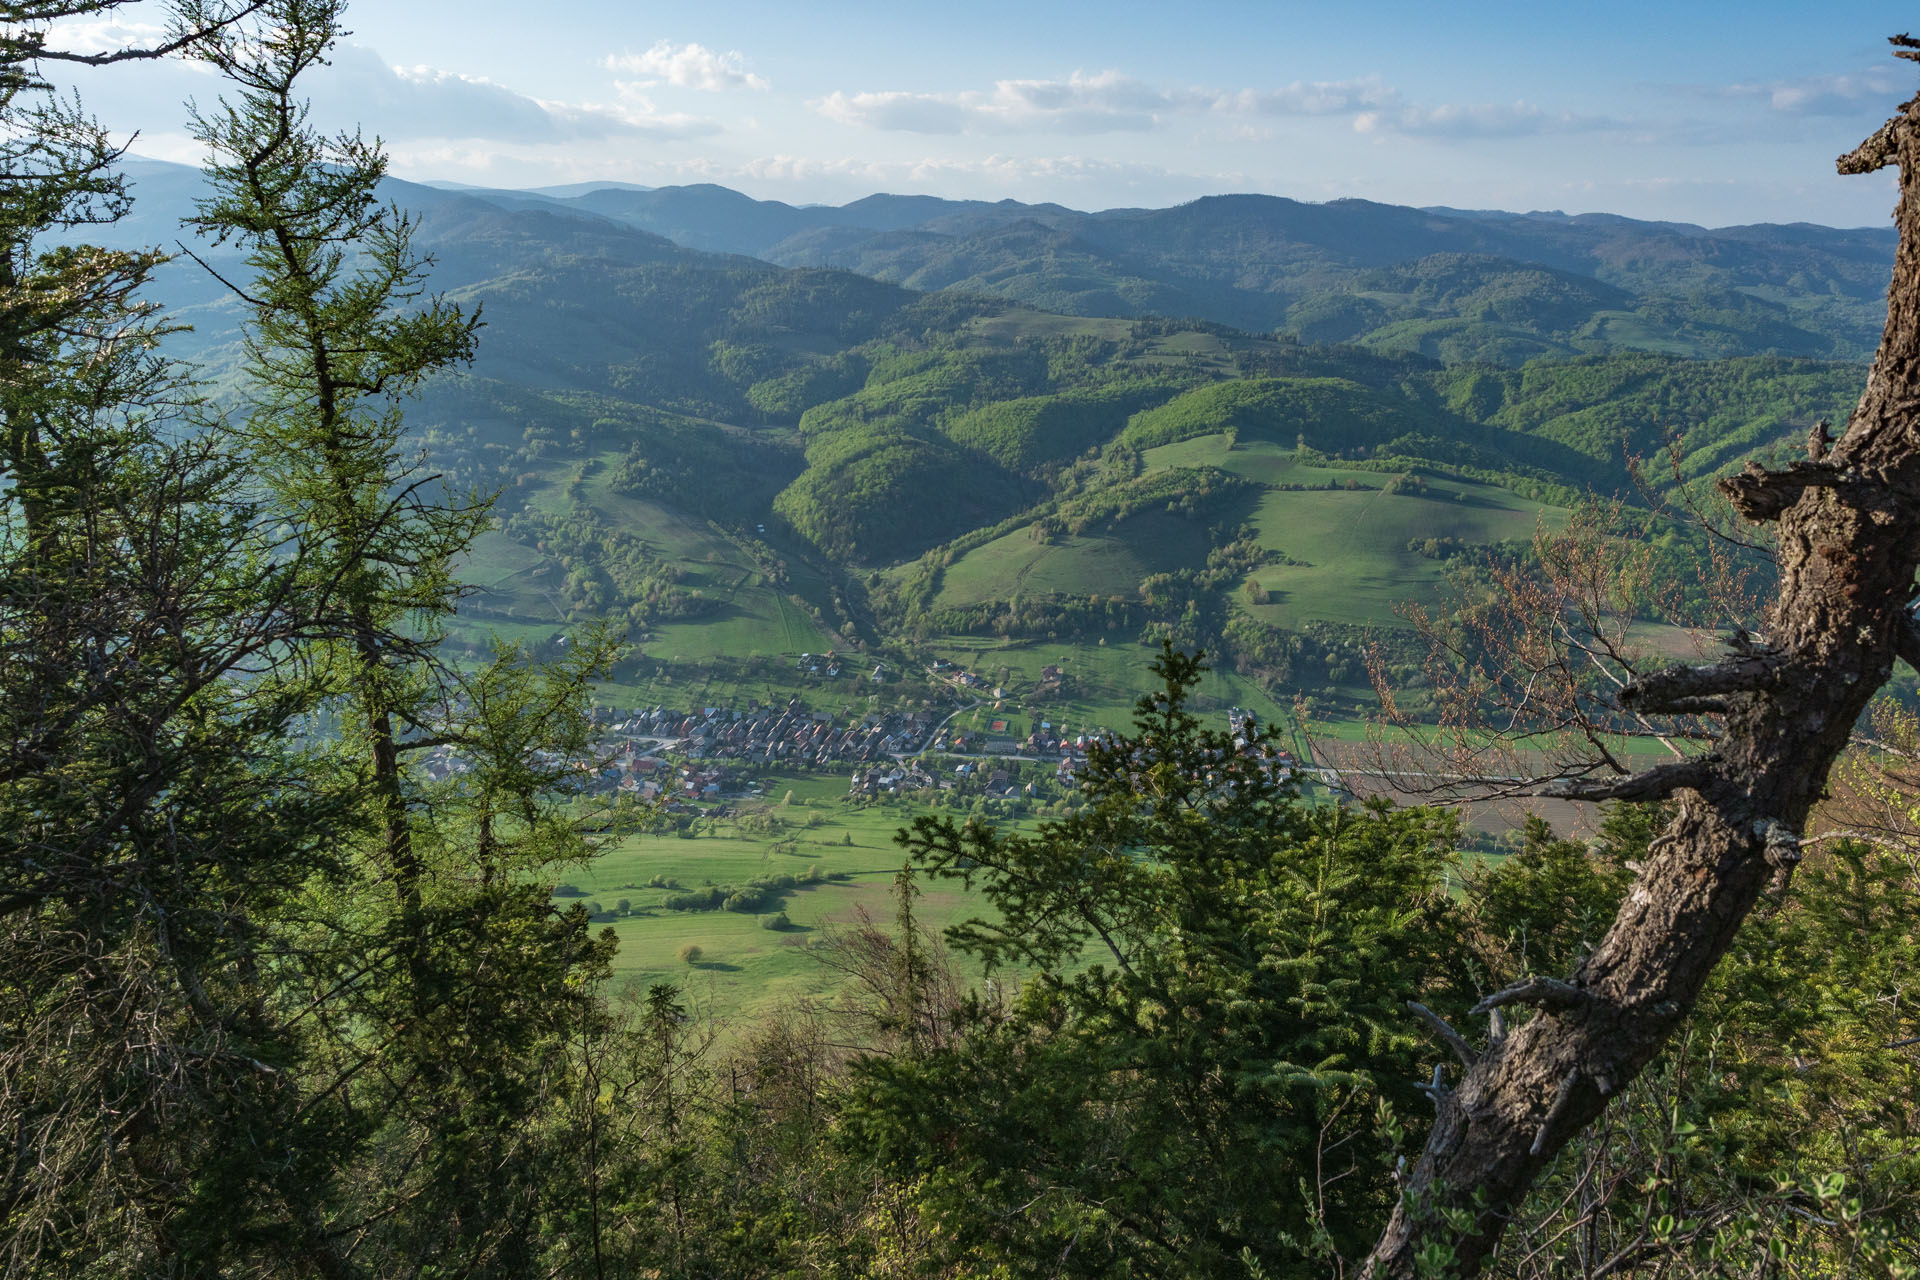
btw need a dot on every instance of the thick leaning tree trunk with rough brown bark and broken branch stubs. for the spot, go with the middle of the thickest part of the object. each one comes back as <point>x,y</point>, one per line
<point>1848,554</point>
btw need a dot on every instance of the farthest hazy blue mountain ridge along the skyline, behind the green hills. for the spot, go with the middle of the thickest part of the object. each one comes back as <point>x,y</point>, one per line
<point>1253,260</point>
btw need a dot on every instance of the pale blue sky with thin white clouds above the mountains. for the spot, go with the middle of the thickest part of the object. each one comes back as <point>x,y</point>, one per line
<point>1685,110</point>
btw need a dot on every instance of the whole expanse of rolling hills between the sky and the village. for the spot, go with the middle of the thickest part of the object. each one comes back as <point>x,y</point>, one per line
<point>742,460</point>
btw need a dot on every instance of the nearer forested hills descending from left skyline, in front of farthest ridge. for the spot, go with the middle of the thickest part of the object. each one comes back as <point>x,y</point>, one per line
<point>708,442</point>
